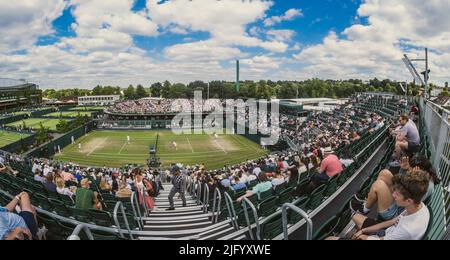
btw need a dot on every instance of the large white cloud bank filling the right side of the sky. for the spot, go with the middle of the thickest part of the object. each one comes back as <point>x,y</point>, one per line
<point>376,49</point>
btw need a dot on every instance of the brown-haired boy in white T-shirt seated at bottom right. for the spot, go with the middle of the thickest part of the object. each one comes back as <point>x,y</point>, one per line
<point>412,224</point>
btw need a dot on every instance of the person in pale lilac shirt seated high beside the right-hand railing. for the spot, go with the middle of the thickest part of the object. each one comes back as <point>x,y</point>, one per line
<point>408,140</point>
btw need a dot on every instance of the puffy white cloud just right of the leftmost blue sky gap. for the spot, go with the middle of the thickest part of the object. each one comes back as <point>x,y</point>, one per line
<point>107,25</point>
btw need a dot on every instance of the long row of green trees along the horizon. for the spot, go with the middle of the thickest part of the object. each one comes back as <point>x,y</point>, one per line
<point>263,89</point>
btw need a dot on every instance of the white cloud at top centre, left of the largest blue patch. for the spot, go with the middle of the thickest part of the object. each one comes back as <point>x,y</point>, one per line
<point>226,21</point>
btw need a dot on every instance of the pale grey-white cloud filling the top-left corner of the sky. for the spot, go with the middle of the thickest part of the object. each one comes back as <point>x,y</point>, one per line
<point>23,22</point>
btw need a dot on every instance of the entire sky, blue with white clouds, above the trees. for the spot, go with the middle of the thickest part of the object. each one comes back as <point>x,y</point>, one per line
<point>123,42</point>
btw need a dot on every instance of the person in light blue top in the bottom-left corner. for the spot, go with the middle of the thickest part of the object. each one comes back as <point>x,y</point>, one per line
<point>17,226</point>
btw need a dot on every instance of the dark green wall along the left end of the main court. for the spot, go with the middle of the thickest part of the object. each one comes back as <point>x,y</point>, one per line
<point>51,148</point>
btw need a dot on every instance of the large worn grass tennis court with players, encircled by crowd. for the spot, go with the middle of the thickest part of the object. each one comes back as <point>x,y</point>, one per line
<point>111,148</point>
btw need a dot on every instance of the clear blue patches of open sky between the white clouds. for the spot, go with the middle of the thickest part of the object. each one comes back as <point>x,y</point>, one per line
<point>319,17</point>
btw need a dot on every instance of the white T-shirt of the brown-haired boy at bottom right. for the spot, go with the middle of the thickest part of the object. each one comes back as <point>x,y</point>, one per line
<point>412,227</point>
